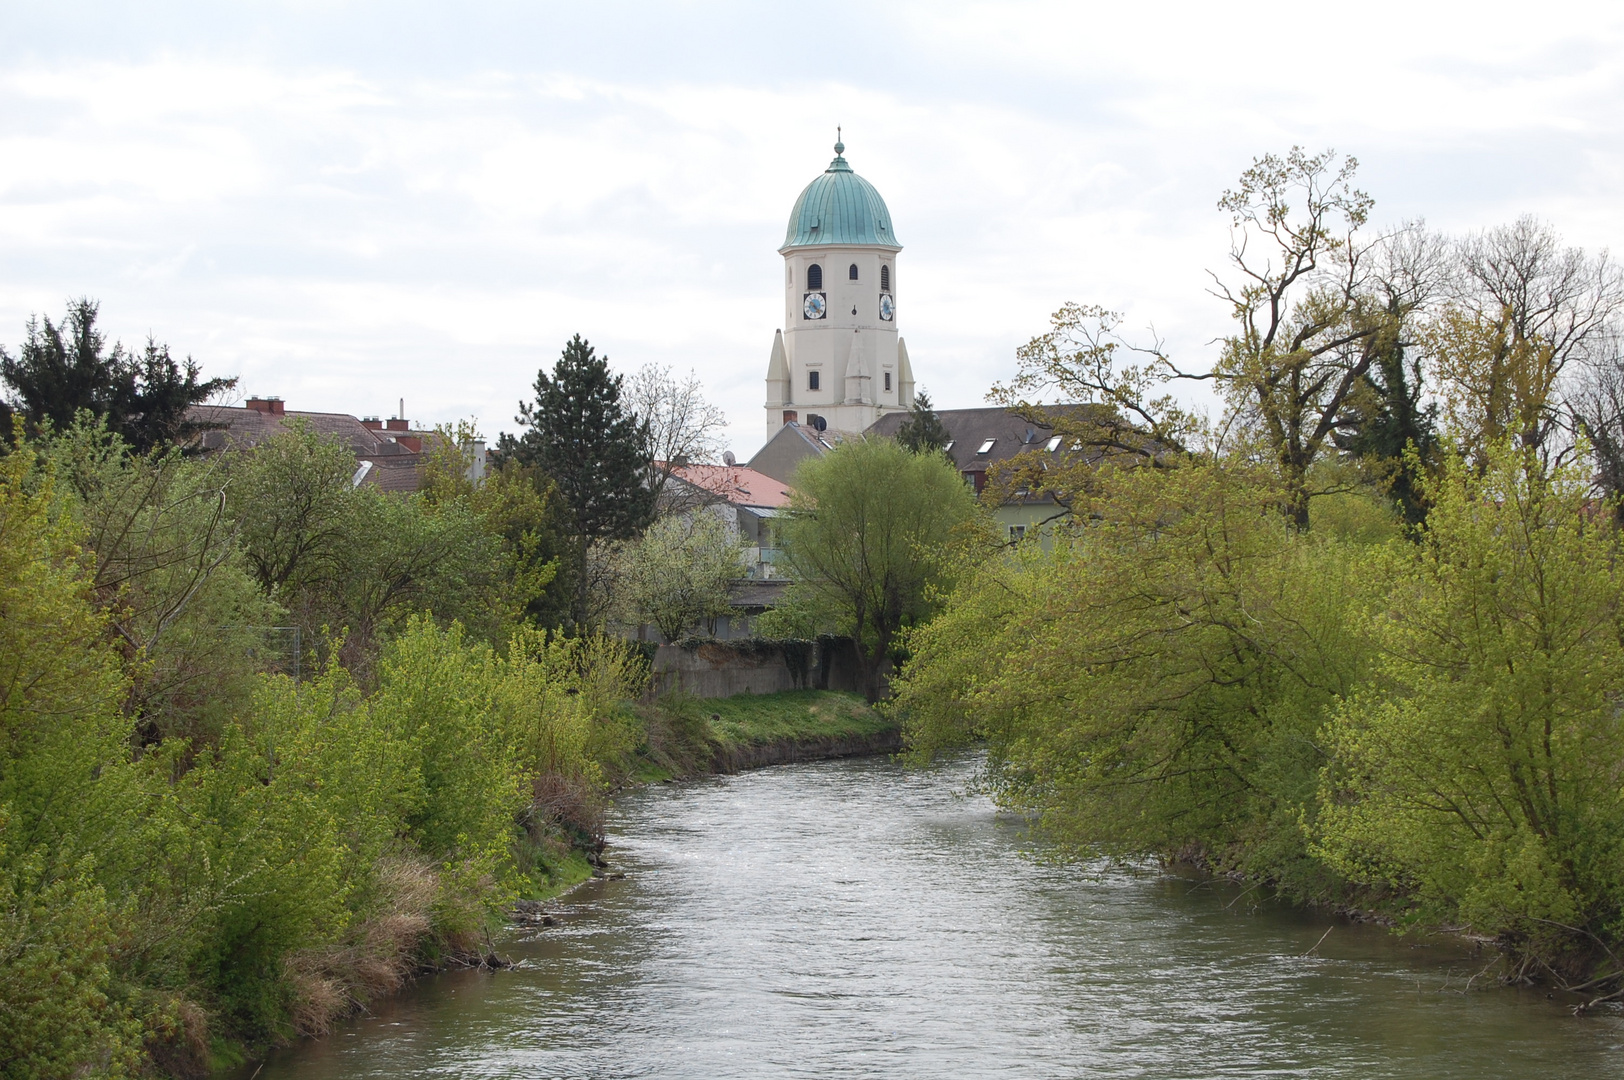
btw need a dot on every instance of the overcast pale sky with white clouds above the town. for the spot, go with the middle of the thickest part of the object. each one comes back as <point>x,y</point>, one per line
<point>352,204</point>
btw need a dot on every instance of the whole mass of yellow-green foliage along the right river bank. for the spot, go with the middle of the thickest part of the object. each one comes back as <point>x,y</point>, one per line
<point>1435,717</point>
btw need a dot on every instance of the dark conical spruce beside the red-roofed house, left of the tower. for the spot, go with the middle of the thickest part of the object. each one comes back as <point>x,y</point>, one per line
<point>582,436</point>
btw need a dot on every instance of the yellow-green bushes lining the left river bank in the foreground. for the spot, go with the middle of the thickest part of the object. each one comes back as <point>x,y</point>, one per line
<point>254,875</point>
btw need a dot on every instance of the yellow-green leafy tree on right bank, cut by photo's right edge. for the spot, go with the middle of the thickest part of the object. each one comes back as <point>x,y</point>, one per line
<point>1479,769</point>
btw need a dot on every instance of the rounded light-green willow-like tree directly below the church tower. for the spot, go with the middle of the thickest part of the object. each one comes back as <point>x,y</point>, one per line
<point>866,538</point>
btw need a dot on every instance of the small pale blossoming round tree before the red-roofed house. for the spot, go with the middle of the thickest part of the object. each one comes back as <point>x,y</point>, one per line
<point>678,572</point>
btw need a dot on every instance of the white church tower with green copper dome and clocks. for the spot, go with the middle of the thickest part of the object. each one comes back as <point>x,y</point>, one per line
<point>839,356</point>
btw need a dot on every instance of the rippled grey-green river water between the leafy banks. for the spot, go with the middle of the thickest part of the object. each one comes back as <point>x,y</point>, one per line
<point>860,920</point>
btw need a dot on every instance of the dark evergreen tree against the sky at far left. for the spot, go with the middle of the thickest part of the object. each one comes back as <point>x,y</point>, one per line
<point>66,369</point>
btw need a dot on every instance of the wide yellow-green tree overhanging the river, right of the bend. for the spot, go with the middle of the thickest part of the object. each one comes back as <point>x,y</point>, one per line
<point>1154,683</point>
